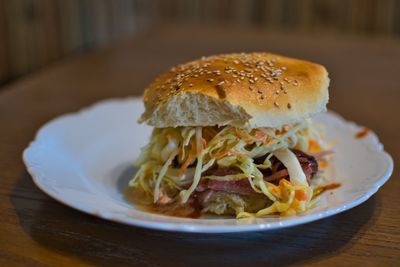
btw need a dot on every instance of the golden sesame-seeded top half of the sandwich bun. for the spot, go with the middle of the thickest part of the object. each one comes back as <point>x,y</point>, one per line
<point>245,90</point>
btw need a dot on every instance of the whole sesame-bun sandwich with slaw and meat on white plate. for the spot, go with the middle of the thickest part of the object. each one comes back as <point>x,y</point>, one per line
<point>233,136</point>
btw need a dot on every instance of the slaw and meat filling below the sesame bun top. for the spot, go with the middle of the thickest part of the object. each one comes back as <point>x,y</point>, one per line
<point>230,170</point>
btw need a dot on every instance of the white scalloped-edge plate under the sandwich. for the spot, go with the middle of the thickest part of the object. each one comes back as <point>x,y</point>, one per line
<point>83,160</point>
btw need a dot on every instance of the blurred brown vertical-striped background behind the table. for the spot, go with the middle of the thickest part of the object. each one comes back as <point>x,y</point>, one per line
<point>35,33</point>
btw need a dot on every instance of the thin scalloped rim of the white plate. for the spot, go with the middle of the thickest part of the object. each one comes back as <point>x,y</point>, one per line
<point>193,226</point>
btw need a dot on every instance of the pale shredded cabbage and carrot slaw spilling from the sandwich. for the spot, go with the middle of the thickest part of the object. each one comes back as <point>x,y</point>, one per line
<point>176,158</point>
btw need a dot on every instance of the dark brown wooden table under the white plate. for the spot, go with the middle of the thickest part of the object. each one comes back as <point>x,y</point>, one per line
<point>37,231</point>
